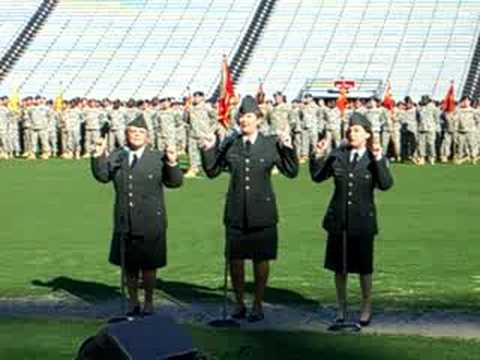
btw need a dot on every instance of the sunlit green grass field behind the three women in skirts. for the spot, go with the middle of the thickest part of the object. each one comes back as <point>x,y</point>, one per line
<point>56,224</point>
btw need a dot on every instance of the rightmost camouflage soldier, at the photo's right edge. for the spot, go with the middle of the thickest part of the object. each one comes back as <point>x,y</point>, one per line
<point>466,121</point>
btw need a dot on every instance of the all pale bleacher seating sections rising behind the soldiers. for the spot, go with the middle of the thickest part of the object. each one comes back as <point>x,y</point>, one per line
<point>140,48</point>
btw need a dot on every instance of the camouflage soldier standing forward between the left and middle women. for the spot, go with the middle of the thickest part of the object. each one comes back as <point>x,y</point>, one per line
<point>202,121</point>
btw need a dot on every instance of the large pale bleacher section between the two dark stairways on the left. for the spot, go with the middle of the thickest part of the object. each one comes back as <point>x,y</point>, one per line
<point>131,48</point>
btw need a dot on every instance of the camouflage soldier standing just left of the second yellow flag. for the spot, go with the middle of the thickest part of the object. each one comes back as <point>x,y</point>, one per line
<point>40,120</point>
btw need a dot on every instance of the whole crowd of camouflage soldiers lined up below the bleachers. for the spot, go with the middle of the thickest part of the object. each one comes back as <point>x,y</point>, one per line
<point>420,133</point>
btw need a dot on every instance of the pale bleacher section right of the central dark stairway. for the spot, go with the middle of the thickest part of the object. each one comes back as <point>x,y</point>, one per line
<point>419,45</point>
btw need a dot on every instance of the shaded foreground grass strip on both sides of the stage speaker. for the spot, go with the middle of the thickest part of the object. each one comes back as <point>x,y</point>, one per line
<point>60,339</point>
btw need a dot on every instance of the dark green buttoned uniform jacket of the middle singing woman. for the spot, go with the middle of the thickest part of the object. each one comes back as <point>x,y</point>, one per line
<point>250,199</point>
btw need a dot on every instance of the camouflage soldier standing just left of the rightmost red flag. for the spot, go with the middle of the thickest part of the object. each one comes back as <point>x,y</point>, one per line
<point>428,123</point>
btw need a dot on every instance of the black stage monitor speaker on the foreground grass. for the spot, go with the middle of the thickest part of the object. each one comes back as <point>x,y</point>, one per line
<point>151,338</point>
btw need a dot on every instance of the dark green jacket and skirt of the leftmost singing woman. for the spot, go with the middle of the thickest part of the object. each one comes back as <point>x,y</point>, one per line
<point>139,211</point>
